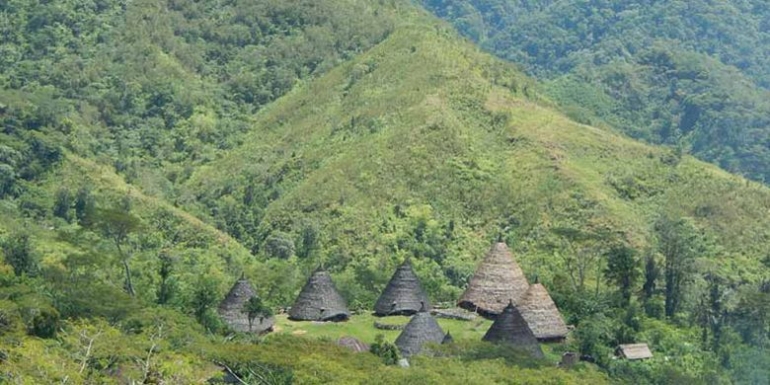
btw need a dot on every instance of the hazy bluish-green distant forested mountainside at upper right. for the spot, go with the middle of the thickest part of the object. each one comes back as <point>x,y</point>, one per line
<point>686,73</point>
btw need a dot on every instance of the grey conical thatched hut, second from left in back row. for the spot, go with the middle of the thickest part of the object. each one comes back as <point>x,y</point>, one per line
<point>319,301</point>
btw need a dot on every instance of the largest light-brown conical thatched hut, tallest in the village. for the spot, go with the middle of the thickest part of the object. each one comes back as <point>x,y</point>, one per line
<point>497,280</point>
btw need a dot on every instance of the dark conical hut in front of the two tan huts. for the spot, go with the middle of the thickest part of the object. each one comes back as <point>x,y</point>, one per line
<point>511,328</point>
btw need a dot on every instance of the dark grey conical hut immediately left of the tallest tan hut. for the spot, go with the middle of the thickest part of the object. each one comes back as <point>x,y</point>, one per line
<point>403,295</point>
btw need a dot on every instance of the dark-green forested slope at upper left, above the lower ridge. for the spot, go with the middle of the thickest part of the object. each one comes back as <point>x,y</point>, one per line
<point>155,88</point>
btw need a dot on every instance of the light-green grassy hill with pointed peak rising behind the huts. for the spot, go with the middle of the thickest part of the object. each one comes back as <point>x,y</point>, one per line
<point>424,146</point>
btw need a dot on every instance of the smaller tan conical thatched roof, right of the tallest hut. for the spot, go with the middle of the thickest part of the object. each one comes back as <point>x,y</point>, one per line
<point>541,314</point>
